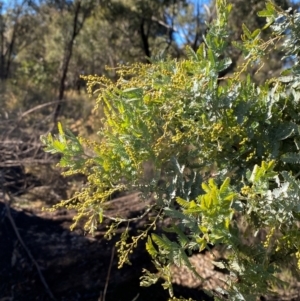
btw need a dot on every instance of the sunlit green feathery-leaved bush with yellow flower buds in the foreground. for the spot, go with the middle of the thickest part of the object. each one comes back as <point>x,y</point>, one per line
<point>223,150</point>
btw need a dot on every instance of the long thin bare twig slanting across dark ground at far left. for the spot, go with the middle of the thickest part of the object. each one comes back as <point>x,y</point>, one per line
<point>25,247</point>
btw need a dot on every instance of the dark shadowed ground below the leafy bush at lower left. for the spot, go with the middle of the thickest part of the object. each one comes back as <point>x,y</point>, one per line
<point>74,265</point>
